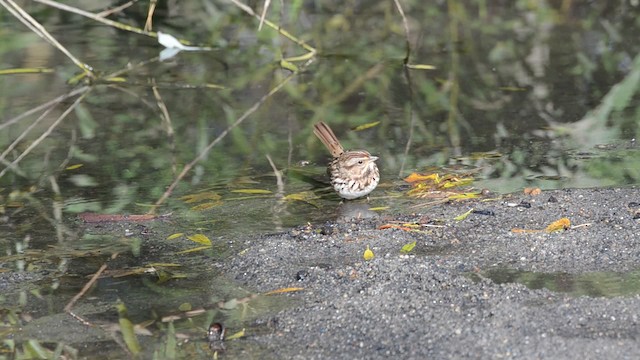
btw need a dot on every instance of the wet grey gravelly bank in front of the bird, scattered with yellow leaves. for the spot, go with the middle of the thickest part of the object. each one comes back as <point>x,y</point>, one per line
<point>439,301</point>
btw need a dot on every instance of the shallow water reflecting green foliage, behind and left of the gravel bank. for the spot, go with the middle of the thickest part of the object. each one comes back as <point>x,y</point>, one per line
<point>521,95</point>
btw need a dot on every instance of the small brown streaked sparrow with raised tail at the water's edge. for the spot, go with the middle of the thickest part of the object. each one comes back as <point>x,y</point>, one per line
<point>353,173</point>
